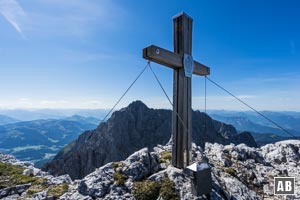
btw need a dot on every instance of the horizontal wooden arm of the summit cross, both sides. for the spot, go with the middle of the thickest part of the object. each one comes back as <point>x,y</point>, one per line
<point>172,60</point>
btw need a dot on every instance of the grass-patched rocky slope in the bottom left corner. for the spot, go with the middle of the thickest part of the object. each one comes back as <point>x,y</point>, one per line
<point>29,182</point>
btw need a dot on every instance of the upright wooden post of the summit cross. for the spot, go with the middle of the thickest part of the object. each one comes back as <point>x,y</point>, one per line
<point>182,111</point>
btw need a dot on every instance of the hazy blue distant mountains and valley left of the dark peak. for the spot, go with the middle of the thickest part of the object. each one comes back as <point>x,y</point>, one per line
<point>39,140</point>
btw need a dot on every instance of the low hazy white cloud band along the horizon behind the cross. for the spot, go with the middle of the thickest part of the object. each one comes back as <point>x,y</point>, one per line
<point>280,101</point>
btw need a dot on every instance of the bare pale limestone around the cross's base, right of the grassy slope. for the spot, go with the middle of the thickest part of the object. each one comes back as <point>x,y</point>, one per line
<point>239,172</point>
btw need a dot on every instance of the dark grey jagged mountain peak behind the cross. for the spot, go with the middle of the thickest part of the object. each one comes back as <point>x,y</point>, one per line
<point>131,129</point>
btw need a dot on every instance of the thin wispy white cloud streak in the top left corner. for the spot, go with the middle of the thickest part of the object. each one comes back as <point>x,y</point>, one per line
<point>13,13</point>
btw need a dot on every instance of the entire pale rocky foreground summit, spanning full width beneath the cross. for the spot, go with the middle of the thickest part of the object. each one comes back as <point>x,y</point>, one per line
<point>239,172</point>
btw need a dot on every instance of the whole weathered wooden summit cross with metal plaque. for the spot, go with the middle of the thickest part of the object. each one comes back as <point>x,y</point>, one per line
<point>182,109</point>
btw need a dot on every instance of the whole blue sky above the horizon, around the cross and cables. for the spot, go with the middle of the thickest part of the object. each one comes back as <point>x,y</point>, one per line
<point>85,53</point>
